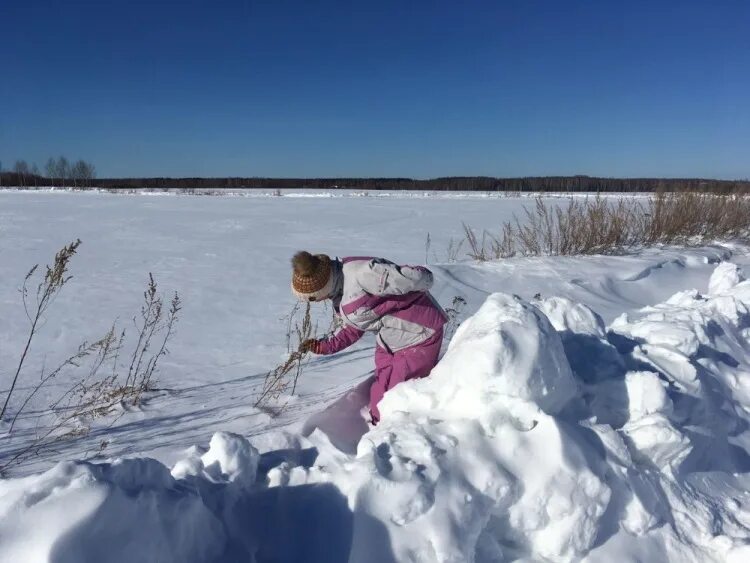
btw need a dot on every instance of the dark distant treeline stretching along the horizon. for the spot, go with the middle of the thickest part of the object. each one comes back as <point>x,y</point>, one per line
<point>469,183</point>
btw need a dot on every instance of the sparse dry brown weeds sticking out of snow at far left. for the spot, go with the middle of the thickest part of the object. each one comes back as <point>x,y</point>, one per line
<point>91,377</point>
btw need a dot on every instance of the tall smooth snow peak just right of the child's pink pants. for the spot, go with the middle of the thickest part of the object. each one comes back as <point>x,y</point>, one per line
<point>507,350</point>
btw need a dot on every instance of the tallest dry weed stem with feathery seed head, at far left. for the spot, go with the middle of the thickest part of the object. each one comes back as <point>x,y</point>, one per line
<point>54,279</point>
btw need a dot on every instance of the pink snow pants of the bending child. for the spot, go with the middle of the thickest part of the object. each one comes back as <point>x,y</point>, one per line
<point>410,363</point>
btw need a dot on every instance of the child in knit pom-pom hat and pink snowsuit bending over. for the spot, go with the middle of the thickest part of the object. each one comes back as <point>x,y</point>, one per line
<point>375,295</point>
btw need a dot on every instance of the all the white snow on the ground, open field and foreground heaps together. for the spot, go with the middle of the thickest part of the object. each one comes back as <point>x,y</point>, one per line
<point>588,408</point>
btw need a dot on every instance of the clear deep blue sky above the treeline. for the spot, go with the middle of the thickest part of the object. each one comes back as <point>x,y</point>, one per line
<point>380,88</point>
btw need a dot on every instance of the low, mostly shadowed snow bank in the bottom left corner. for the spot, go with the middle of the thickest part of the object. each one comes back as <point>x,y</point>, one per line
<point>207,510</point>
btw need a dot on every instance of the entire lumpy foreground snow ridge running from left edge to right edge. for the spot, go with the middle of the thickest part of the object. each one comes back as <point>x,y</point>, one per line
<point>541,435</point>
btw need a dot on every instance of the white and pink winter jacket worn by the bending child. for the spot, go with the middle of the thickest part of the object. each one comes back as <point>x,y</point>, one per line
<point>376,295</point>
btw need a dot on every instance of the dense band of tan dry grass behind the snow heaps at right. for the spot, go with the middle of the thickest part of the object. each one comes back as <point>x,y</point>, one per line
<point>601,226</point>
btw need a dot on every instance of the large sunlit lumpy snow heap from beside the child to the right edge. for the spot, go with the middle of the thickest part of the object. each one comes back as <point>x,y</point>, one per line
<point>530,443</point>
